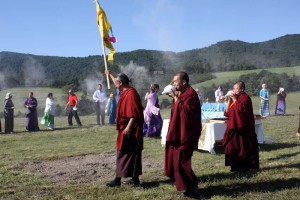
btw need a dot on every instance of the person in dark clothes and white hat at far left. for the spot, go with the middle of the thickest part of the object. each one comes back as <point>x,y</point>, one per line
<point>8,114</point>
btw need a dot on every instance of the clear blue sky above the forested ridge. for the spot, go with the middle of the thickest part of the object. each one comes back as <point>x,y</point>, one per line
<point>69,28</point>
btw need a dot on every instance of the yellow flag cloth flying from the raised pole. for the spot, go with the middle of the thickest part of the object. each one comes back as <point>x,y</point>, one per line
<point>104,28</point>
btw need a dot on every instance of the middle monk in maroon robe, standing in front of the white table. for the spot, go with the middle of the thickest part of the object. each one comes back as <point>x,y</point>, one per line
<point>183,135</point>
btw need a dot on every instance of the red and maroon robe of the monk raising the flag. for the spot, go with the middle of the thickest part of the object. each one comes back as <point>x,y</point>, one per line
<point>129,147</point>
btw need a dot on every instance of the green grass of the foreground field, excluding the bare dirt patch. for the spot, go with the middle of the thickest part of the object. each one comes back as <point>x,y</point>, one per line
<point>278,177</point>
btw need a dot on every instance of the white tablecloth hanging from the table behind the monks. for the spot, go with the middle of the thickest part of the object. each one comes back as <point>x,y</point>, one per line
<point>212,132</point>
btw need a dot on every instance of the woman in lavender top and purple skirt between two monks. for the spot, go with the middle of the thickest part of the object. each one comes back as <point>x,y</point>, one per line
<point>153,121</point>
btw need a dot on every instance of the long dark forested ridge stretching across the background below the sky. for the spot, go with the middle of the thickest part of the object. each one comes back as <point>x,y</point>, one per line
<point>22,69</point>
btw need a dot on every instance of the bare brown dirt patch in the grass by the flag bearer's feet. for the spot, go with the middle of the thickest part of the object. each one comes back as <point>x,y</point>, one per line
<point>86,168</point>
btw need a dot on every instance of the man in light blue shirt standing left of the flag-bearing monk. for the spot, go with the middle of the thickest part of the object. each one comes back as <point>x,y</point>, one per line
<point>100,99</point>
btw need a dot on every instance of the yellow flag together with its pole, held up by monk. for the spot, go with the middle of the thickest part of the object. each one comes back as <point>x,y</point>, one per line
<point>104,28</point>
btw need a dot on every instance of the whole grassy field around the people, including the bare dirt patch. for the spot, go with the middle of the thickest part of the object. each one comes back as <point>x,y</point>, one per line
<point>73,163</point>
